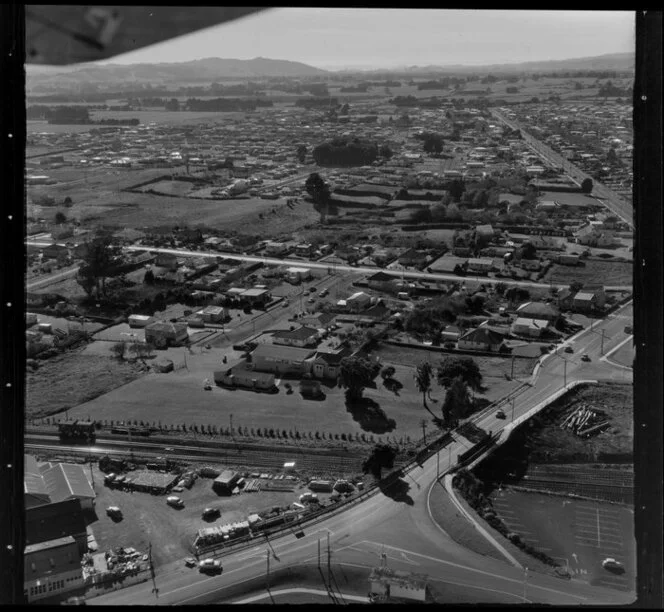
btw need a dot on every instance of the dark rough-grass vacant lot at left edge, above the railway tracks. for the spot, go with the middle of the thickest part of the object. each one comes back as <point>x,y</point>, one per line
<point>71,379</point>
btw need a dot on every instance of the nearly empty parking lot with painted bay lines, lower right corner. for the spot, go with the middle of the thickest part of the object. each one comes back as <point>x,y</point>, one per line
<point>579,534</point>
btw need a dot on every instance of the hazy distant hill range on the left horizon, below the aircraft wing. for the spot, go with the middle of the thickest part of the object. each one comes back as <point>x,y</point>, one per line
<point>206,70</point>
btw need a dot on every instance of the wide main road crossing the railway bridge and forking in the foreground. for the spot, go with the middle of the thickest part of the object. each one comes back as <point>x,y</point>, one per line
<point>401,526</point>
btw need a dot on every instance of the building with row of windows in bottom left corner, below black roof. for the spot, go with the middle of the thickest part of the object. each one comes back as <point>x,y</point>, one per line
<point>52,567</point>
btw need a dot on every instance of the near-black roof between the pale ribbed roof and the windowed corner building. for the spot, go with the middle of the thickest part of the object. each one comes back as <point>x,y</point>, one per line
<point>55,520</point>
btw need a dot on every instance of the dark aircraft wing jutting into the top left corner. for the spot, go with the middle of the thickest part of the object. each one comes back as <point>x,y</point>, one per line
<point>60,35</point>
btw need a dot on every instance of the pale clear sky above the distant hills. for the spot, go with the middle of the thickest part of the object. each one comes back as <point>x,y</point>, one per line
<point>336,38</point>
